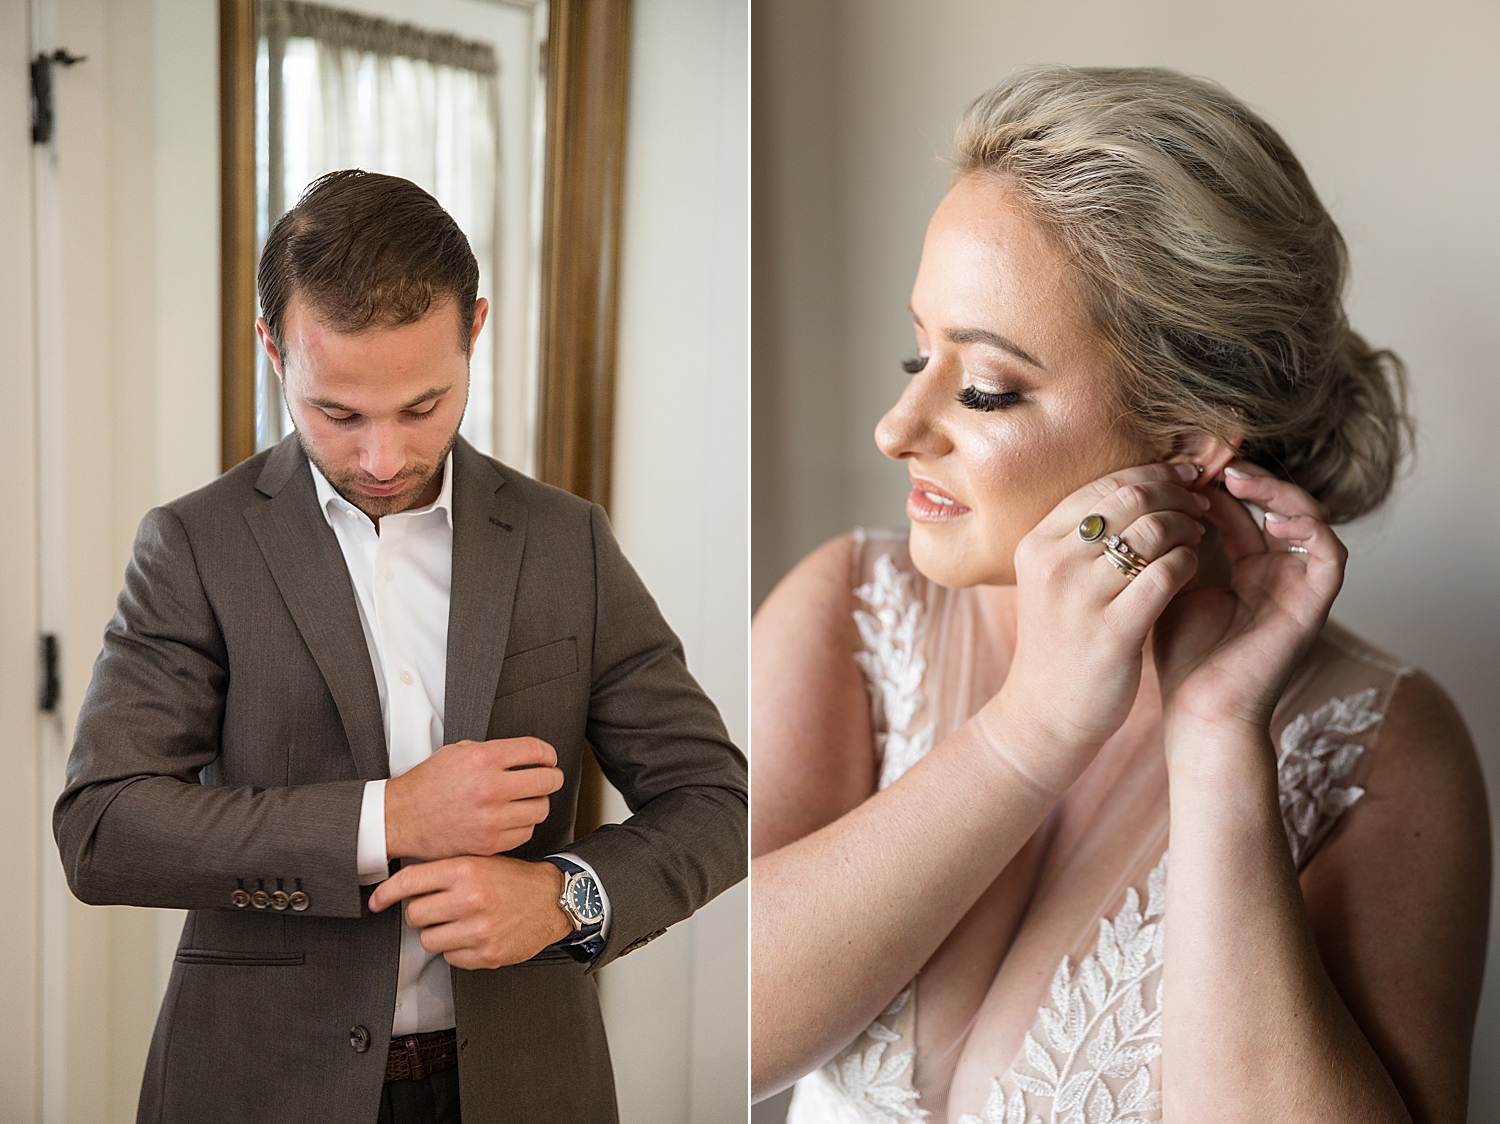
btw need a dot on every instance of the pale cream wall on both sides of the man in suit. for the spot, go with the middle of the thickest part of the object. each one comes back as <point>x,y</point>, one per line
<point>109,310</point>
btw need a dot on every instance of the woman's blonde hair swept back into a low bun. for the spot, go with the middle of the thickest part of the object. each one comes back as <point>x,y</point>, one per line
<point>1210,265</point>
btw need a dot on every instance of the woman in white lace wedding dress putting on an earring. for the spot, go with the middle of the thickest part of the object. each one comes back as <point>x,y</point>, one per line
<point>976,741</point>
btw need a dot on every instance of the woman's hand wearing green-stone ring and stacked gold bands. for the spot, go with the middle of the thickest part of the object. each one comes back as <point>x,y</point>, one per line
<point>1082,625</point>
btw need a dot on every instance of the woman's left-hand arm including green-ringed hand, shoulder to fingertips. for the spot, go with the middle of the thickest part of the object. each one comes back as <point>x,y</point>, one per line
<point>854,895</point>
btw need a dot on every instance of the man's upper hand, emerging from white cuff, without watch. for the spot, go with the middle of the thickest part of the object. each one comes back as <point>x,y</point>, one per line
<point>472,799</point>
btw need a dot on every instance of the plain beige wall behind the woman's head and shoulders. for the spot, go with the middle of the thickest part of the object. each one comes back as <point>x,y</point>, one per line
<point>1393,107</point>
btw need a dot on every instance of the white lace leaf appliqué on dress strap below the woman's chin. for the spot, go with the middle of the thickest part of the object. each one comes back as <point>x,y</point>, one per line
<point>893,667</point>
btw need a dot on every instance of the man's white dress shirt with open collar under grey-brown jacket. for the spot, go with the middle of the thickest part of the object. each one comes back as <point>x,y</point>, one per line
<point>403,580</point>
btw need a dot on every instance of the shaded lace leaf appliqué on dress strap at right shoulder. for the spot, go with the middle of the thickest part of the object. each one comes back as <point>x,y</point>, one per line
<point>1315,756</point>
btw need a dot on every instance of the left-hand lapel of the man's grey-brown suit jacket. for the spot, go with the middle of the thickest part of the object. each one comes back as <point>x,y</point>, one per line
<point>308,567</point>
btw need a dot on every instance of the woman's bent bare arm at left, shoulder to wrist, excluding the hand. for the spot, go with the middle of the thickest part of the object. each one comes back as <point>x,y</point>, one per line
<point>853,892</point>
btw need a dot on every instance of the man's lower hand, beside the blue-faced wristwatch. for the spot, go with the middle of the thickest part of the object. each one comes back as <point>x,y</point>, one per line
<point>481,912</point>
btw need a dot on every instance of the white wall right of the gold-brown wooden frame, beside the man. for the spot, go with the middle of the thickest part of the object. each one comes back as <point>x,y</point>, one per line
<point>677,1011</point>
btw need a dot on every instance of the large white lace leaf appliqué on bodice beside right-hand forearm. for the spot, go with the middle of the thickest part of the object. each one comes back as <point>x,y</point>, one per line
<point>1097,1029</point>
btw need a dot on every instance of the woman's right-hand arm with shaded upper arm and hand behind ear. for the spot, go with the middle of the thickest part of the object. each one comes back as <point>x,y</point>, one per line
<point>1349,997</point>
